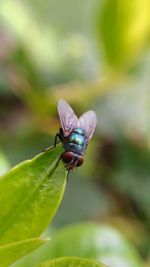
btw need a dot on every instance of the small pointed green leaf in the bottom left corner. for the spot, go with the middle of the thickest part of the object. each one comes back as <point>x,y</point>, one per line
<point>14,251</point>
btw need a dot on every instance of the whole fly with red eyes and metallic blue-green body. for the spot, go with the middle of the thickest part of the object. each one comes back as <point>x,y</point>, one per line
<point>75,134</point>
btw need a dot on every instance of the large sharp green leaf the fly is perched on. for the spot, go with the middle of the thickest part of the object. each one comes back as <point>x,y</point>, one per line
<point>30,194</point>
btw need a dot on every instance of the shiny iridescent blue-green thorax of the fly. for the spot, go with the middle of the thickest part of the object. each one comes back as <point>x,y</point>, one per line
<point>76,142</point>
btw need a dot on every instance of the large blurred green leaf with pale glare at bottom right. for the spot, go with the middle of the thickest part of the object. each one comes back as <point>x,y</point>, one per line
<point>99,242</point>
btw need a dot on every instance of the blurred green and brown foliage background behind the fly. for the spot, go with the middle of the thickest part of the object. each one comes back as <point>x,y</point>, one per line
<point>95,55</point>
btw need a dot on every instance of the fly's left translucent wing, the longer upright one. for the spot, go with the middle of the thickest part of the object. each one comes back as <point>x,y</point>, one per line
<point>68,119</point>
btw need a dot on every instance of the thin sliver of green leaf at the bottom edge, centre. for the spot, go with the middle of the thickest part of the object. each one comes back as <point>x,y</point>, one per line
<point>71,262</point>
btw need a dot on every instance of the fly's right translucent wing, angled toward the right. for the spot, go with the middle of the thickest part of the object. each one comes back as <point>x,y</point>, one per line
<point>88,123</point>
